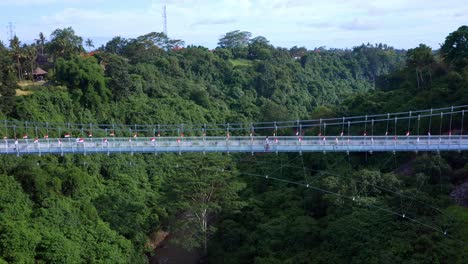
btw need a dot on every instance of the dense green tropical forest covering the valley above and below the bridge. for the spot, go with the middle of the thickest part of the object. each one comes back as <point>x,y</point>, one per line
<point>406,207</point>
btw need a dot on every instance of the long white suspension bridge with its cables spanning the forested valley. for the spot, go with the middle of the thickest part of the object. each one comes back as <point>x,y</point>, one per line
<point>440,129</point>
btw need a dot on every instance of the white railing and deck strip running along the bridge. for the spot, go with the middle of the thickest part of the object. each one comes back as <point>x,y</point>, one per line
<point>238,144</point>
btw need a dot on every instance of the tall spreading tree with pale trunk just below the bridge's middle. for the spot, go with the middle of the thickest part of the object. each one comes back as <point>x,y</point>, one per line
<point>203,188</point>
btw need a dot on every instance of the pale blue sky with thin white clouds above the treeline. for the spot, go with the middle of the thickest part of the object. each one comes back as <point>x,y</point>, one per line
<point>286,23</point>
